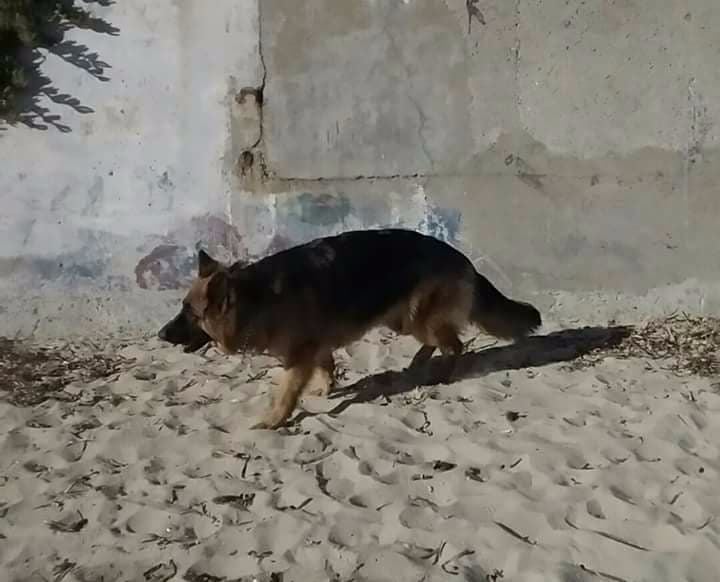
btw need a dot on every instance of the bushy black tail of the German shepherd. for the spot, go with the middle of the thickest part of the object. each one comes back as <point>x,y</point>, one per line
<point>501,316</point>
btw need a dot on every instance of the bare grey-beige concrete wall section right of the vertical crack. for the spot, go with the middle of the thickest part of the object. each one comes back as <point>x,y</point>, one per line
<point>576,141</point>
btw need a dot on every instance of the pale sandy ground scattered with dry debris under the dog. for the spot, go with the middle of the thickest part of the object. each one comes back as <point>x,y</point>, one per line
<point>529,467</point>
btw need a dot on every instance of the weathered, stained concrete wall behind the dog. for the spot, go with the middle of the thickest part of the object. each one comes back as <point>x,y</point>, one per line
<point>570,148</point>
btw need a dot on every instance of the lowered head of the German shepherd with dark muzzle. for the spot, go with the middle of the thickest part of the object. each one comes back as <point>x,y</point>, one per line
<point>196,324</point>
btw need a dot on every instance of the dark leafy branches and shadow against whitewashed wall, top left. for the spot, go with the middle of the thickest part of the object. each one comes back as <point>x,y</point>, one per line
<point>28,28</point>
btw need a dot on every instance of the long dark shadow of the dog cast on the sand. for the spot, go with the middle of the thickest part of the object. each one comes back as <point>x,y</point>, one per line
<point>560,346</point>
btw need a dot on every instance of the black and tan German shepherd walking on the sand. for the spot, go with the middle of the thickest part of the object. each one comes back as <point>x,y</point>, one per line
<point>302,303</point>
